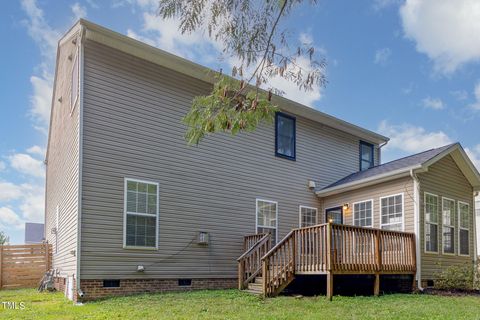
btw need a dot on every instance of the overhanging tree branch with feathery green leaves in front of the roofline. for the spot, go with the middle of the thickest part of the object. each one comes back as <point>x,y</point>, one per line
<point>249,31</point>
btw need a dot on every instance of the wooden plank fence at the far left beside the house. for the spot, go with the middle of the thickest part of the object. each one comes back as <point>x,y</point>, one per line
<point>22,266</point>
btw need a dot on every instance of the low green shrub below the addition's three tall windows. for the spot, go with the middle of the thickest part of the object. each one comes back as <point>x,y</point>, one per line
<point>458,277</point>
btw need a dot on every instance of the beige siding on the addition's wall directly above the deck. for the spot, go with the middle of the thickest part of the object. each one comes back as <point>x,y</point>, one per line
<point>375,192</point>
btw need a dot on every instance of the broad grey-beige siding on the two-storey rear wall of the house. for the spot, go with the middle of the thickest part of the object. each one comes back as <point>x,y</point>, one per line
<point>132,128</point>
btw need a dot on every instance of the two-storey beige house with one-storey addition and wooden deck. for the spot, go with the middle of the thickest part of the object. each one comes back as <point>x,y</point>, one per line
<point>131,208</point>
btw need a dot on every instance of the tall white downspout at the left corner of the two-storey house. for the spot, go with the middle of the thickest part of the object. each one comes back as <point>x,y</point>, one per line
<point>80,159</point>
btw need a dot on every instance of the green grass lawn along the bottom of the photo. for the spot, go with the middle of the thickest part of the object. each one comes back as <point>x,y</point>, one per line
<point>232,304</point>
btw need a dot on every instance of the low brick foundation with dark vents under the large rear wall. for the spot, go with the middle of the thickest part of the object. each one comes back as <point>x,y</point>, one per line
<point>93,289</point>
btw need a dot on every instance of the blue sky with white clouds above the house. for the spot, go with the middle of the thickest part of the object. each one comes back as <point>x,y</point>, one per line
<point>407,69</point>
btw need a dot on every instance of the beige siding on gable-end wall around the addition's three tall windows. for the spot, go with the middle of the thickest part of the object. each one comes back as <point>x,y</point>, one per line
<point>444,179</point>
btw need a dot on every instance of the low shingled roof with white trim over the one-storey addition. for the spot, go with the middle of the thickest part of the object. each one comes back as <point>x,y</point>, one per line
<point>402,167</point>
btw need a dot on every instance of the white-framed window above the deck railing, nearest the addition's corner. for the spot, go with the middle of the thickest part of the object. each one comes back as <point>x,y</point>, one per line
<point>391,210</point>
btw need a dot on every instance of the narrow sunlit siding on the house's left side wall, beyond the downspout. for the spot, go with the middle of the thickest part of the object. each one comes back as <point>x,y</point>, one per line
<point>63,167</point>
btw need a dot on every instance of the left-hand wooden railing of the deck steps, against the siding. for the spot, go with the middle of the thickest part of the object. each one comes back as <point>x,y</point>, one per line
<point>250,263</point>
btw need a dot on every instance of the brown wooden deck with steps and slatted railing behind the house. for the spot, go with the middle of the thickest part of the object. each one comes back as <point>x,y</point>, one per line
<point>328,249</point>
